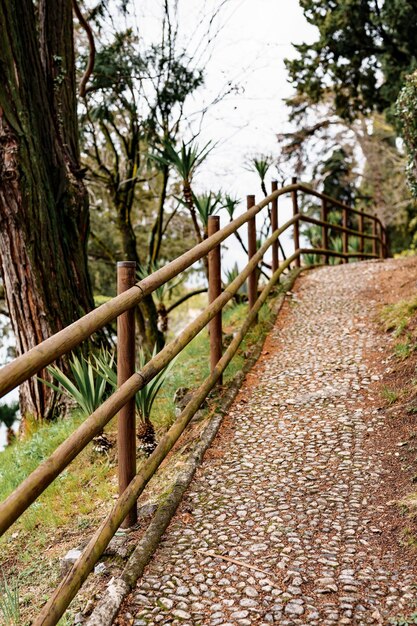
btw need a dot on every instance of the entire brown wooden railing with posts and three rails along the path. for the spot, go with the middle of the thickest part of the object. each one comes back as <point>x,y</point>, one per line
<point>131,481</point>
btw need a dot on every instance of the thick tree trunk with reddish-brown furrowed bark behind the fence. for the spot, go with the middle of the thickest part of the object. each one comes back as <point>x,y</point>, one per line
<point>43,203</point>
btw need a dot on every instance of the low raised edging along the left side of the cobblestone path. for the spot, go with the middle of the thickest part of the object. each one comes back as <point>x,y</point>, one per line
<point>118,588</point>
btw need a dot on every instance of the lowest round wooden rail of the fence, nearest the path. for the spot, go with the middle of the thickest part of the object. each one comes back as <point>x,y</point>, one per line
<point>71,583</point>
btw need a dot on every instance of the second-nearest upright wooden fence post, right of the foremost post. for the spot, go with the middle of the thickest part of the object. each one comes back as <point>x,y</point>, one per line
<point>215,289</point>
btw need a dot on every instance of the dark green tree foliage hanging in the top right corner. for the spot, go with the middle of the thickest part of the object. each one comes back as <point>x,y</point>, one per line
<point>364,50</point>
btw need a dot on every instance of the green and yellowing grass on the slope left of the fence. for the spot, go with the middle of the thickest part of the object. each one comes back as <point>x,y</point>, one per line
<point>74,505</point>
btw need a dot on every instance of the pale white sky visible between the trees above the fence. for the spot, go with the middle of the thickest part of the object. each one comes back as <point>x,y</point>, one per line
<point>254,37</point>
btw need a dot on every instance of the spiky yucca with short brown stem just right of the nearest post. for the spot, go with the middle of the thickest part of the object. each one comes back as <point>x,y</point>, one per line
<point>144,398</point>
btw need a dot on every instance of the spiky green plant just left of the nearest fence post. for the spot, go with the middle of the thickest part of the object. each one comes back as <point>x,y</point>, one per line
<point>89,386</point>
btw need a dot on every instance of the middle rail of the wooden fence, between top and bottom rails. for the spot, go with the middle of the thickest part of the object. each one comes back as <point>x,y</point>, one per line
<point>31,488</point>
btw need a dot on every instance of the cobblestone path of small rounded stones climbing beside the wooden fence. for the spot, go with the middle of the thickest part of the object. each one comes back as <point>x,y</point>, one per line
<point>286,488</point>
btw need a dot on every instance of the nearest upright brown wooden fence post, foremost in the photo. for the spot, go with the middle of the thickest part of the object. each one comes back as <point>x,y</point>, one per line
<point>126,423</point>
